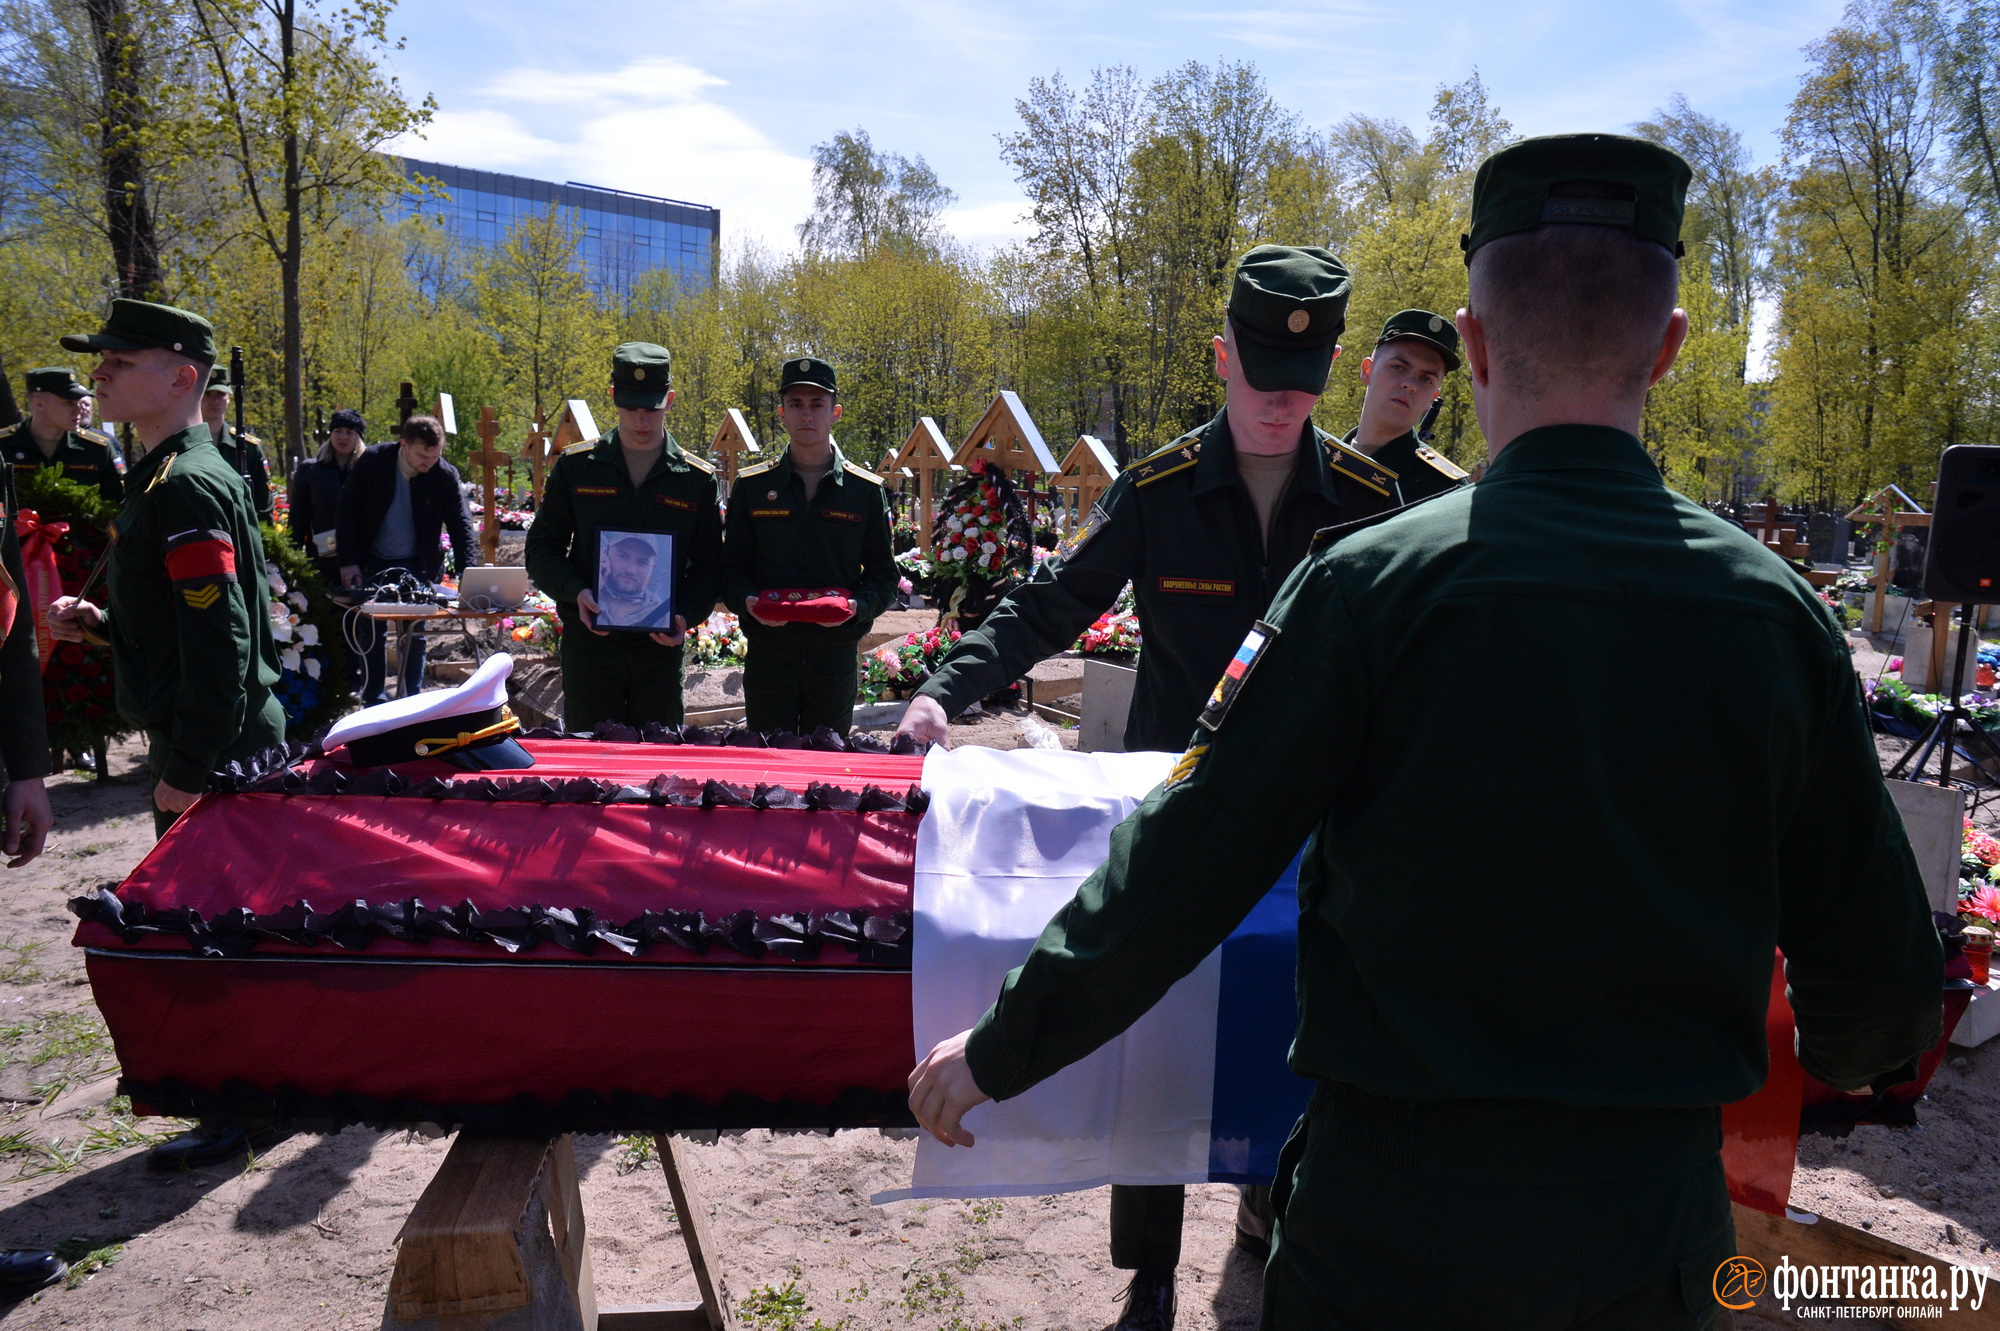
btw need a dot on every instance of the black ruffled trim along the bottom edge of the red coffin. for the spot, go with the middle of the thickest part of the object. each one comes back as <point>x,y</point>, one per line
<point>579,1112</point>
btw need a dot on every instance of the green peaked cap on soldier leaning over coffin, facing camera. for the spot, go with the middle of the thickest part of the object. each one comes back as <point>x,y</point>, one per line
<point>1287,311</point>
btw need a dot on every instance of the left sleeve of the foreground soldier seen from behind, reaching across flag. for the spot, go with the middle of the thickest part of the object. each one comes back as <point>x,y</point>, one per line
<point>1201,850</point>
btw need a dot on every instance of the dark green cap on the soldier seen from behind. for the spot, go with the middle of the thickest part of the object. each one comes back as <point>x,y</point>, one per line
<point>1579,181</point>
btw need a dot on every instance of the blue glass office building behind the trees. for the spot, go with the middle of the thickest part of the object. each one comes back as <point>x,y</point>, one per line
<point>625,235</point>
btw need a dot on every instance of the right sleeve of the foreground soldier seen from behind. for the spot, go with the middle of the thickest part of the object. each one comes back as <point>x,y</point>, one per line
<point>1863,956</point>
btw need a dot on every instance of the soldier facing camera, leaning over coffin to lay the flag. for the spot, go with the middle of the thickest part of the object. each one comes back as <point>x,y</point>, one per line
<point>1207,529</point>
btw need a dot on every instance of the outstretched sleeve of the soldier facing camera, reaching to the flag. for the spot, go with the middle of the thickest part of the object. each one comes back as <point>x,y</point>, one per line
<point>1051,611</point>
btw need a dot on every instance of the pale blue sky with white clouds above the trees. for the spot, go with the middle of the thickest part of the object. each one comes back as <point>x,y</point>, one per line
<point>721,103</point>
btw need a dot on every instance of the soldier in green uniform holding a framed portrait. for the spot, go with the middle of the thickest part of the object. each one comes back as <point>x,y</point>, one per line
<point>637,479</point>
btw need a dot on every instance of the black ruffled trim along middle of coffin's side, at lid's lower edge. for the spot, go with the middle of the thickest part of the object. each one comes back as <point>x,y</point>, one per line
<point>875,938</point>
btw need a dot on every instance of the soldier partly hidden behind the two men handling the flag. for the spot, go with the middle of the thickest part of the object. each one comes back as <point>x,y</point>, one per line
<point>1403,379</point>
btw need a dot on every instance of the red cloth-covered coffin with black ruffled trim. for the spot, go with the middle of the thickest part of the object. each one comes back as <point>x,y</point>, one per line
<point>587,946</point>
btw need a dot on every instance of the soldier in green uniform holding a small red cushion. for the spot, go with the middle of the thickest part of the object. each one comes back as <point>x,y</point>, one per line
<point>807,521</point>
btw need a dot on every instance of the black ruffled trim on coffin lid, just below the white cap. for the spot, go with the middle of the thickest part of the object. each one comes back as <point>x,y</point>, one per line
<point>663,790</point>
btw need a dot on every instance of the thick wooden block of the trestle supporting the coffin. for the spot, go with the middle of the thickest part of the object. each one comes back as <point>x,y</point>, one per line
<point>461,1250</point>
